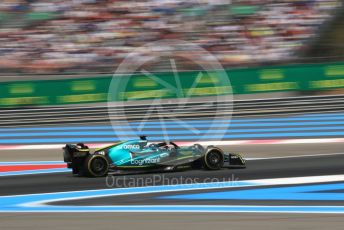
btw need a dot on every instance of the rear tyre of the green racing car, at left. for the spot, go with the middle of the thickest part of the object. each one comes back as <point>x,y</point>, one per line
<point>96,166</point>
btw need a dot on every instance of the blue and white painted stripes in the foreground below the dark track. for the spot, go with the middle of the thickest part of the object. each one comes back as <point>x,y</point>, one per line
<point>35,203</point>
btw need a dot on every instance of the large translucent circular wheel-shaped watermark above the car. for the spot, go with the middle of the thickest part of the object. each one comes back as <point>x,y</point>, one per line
<point>150,94</point>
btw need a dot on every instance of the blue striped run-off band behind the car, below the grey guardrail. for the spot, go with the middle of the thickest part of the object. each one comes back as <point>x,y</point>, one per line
<point>297,126</point>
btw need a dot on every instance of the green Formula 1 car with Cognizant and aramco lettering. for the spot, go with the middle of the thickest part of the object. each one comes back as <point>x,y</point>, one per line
<point>142,156</point>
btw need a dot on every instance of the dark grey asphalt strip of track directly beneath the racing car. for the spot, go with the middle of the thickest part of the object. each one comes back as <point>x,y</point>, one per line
<point>257,169</point>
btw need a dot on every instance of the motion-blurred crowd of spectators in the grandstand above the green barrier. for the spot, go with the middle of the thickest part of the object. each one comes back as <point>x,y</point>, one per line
<point>60,36</point>
